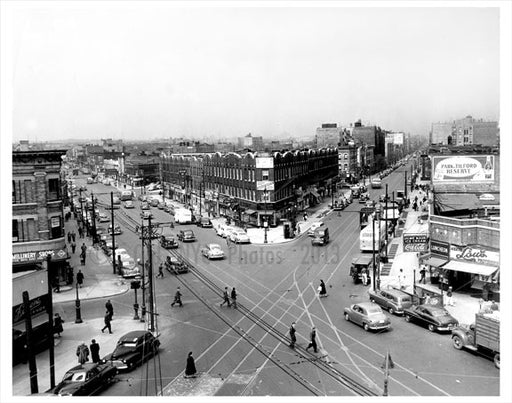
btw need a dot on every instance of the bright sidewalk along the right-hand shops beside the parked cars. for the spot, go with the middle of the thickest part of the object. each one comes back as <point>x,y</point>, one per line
<point>465,305</point>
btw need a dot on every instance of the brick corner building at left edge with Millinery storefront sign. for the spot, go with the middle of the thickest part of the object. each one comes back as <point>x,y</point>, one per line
<point>37,212</point>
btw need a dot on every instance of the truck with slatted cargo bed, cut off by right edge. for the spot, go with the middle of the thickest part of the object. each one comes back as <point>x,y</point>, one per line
<point>483,336</point>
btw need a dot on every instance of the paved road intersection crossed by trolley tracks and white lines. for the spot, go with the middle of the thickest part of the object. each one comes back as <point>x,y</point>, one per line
<point>277,284</point>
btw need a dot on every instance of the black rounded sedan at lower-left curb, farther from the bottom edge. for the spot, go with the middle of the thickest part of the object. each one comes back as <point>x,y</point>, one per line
<point>133,349</point>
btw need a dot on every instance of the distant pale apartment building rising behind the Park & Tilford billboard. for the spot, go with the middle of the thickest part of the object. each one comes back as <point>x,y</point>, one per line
<point>466,131</point>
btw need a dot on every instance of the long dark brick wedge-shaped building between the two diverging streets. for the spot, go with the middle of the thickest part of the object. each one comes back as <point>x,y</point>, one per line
<point>251,187</point>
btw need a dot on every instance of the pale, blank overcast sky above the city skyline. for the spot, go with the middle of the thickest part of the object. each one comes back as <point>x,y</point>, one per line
<point>141,71</point>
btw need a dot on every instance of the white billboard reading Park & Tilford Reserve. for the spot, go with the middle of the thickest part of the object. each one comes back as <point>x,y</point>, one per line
<point>463,169</point>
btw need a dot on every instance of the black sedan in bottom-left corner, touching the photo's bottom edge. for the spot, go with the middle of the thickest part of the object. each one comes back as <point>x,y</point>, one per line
<point>86,379</point>
